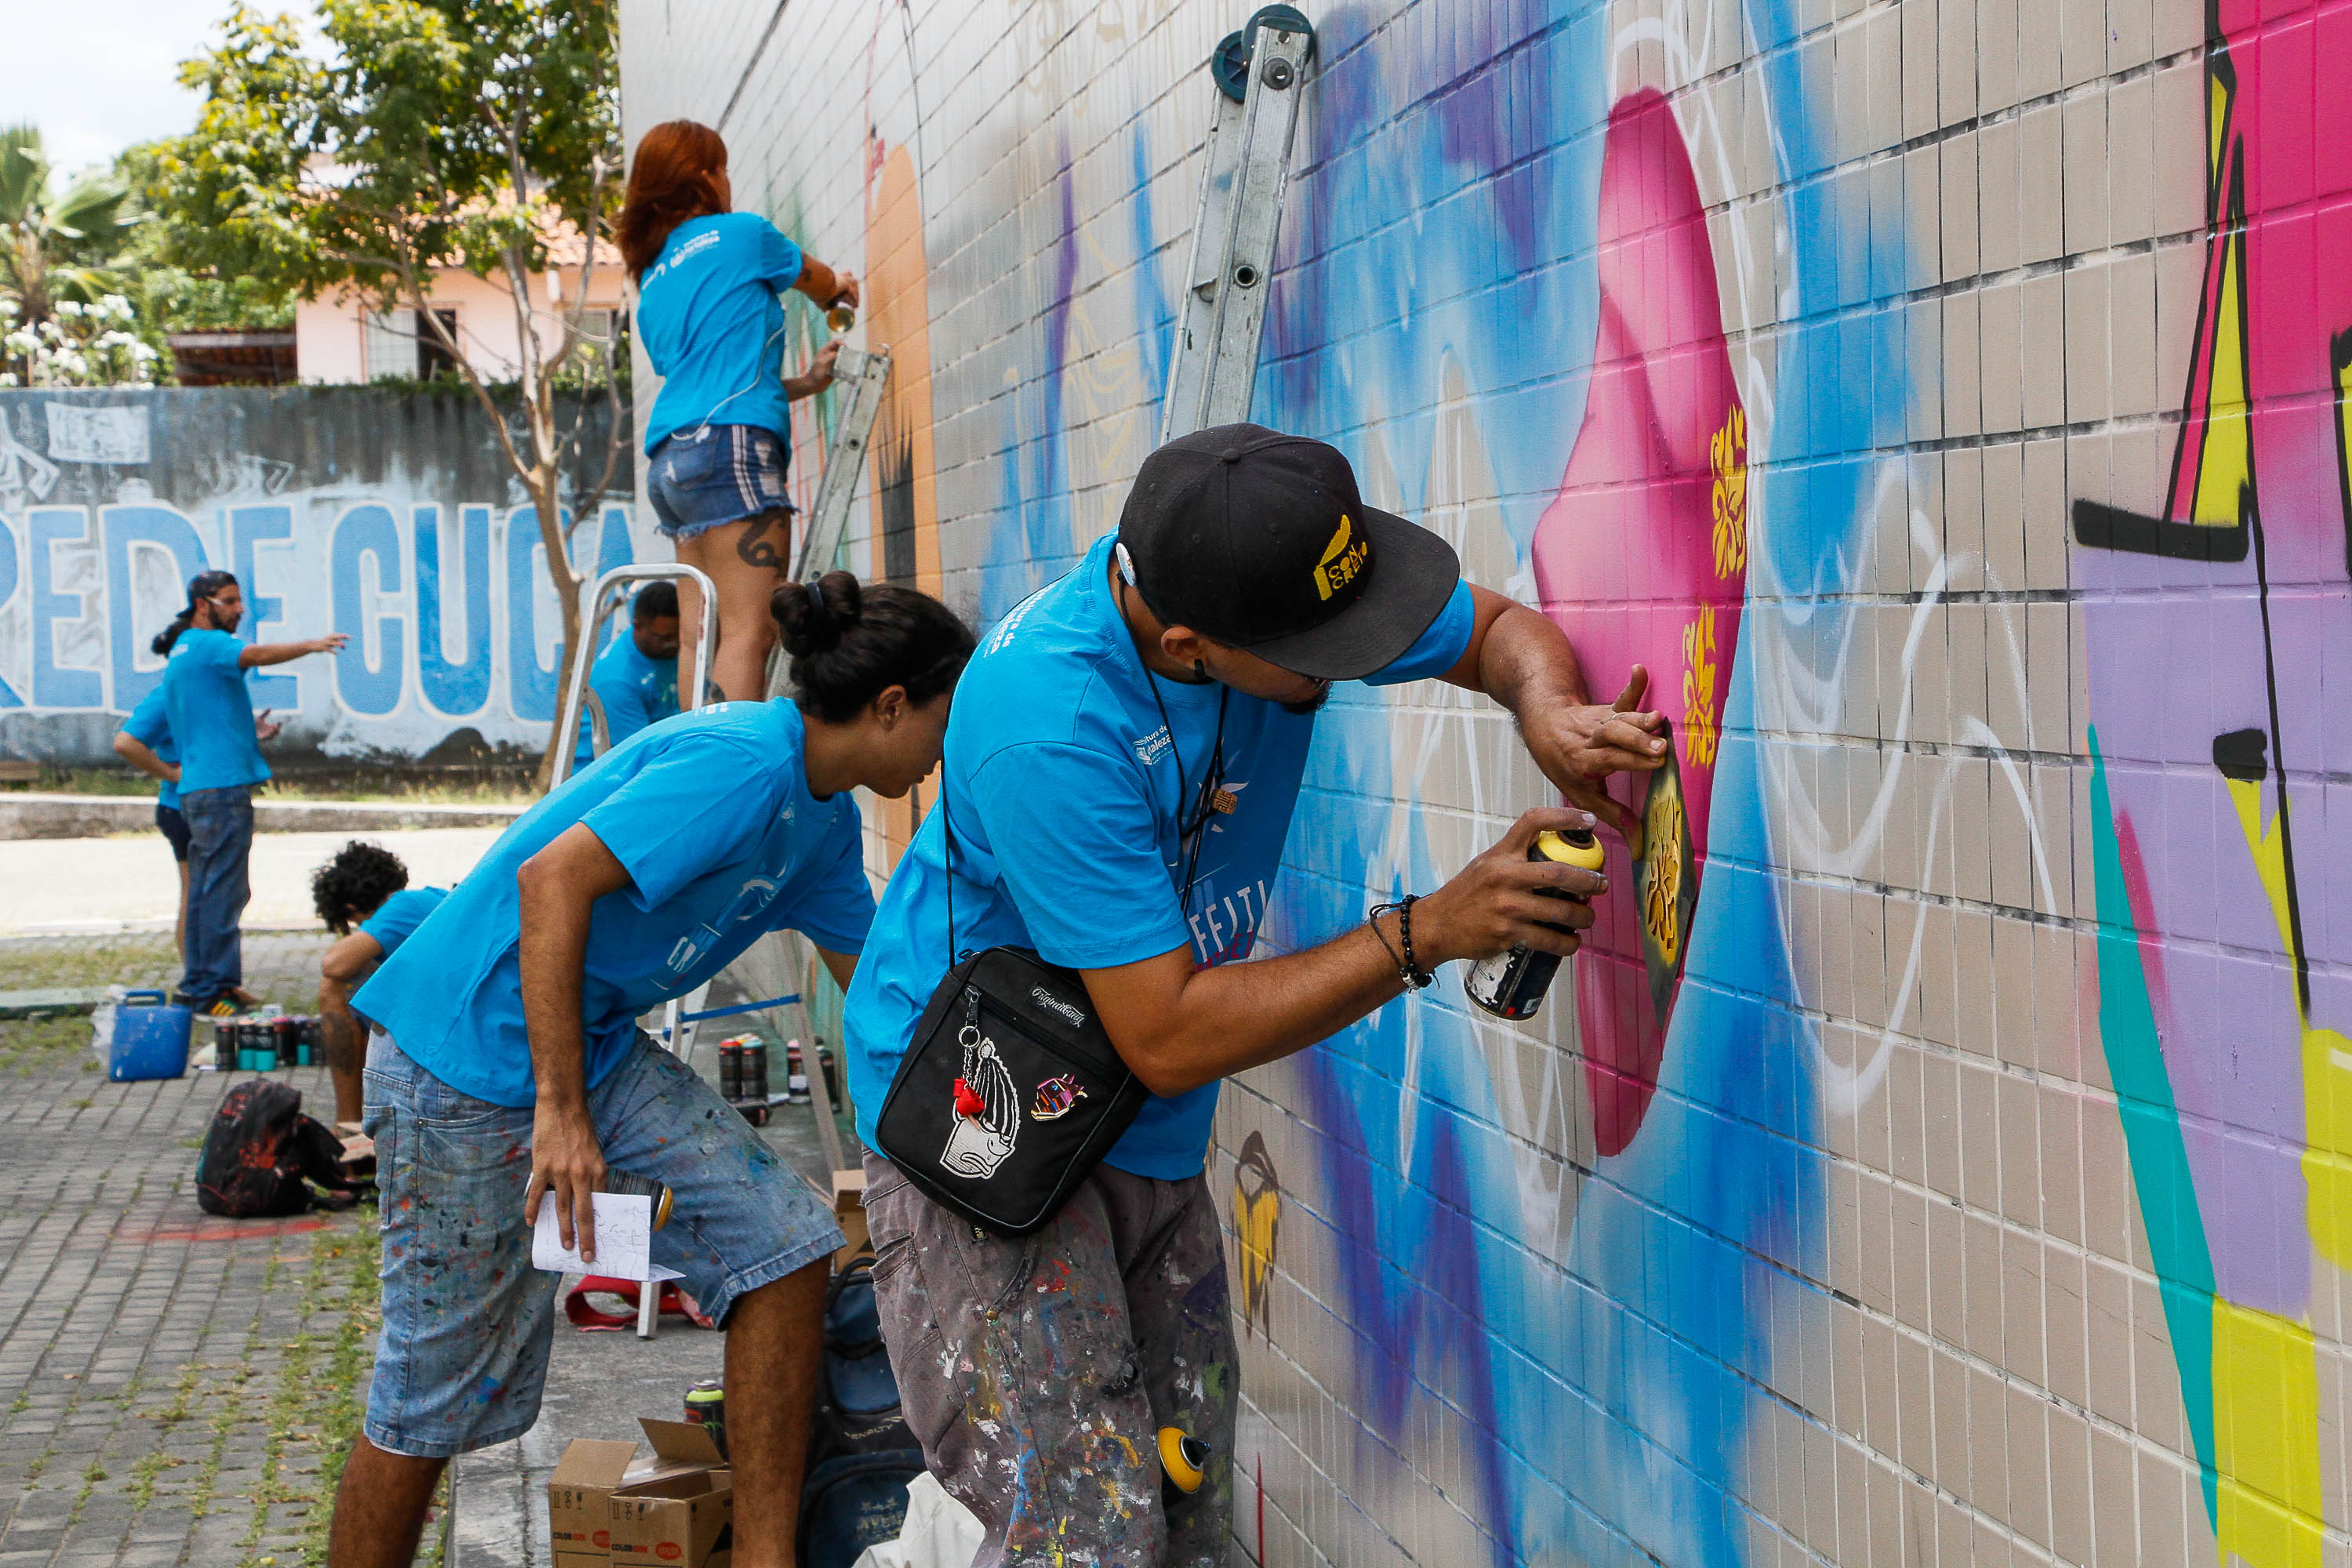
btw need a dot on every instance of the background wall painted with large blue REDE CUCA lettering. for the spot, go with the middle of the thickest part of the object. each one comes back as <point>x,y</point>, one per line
<point>382,518</point>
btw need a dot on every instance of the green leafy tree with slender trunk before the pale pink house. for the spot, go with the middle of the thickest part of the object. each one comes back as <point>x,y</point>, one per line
<point>434,135</point>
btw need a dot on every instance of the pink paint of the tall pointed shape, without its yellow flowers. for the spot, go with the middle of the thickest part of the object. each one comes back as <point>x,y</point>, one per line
<point>1626,551</point>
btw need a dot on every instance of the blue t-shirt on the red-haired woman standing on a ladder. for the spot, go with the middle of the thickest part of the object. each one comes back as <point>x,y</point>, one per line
<point>714,328</point>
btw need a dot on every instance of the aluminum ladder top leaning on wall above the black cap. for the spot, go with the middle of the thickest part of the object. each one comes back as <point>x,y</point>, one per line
<point>1215,361</point>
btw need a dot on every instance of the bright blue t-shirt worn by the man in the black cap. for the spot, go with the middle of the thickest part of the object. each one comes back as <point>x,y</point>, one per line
<point>1062,782</point>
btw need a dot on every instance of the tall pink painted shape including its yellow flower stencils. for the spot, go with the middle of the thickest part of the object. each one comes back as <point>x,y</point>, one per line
<point>1643,558</point>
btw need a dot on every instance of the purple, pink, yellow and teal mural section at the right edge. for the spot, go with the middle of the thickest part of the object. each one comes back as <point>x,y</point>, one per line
<point>2221,965</point>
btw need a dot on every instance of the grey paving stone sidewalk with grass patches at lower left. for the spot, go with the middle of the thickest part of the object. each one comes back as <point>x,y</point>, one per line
<point>171,1383</point>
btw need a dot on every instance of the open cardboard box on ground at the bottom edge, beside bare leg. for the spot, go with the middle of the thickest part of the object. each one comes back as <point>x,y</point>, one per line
<point>676,1506</point>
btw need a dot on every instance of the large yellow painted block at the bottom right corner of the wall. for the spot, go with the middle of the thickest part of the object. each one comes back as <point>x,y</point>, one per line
<point>2266,1428</point>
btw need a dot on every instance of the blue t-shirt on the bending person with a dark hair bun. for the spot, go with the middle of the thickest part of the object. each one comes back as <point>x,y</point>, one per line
<point>723,843</point>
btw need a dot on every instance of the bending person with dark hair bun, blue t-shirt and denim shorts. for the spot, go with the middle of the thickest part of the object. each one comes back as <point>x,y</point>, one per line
<point>509,1068</point>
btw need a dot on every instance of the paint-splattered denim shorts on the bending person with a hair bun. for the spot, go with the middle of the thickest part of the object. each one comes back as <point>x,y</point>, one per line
<point>467,1318</point>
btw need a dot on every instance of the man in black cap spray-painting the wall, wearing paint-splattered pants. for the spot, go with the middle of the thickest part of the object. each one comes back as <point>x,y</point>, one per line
<point>1121,775</point>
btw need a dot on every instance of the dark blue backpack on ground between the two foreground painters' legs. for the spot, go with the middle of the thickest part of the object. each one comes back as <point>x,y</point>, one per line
<point>862,1454</point>
